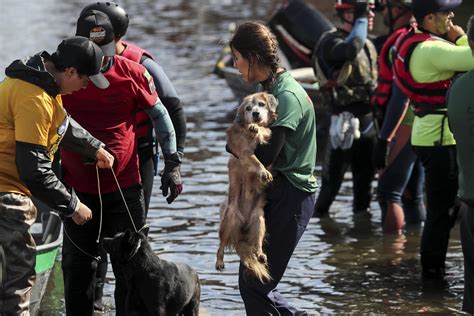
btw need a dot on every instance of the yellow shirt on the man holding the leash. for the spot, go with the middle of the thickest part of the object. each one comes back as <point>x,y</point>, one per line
<point>27,114</point>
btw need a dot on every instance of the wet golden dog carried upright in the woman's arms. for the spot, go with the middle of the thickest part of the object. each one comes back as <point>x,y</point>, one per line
<point>242,219</point>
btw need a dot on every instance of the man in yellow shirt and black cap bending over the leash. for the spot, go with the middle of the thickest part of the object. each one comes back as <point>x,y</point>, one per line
<point>33,124</point>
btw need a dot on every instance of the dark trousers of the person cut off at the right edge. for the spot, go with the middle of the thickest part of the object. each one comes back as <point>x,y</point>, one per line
<point>467,242</point>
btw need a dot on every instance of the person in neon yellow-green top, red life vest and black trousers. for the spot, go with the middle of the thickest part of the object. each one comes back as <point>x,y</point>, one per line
<point>427,58</point>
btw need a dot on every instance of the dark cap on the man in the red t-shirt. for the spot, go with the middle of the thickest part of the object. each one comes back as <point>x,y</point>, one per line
<point>96,26</point>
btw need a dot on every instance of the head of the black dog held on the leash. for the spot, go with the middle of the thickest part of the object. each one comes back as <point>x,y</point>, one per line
<point>123,246</point>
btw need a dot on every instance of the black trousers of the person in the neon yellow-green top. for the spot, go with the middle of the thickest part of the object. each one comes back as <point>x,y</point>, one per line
<point>441,183</point>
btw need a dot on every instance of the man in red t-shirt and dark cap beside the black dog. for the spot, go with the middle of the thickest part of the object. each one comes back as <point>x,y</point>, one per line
<point>110,117</point>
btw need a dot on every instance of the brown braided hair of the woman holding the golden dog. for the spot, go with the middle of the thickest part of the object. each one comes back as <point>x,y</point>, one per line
<point>256,43</point>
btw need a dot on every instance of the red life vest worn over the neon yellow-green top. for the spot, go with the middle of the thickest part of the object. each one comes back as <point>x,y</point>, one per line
<point>429,97</point>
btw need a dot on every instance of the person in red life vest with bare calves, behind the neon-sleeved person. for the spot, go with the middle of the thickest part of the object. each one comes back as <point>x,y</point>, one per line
<point>401,177</point>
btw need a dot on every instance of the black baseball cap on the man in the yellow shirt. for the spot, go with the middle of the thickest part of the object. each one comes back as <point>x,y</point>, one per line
<point>81,53</point>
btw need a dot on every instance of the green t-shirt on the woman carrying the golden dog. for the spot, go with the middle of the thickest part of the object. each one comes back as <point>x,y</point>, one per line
<point>297,159</point>
